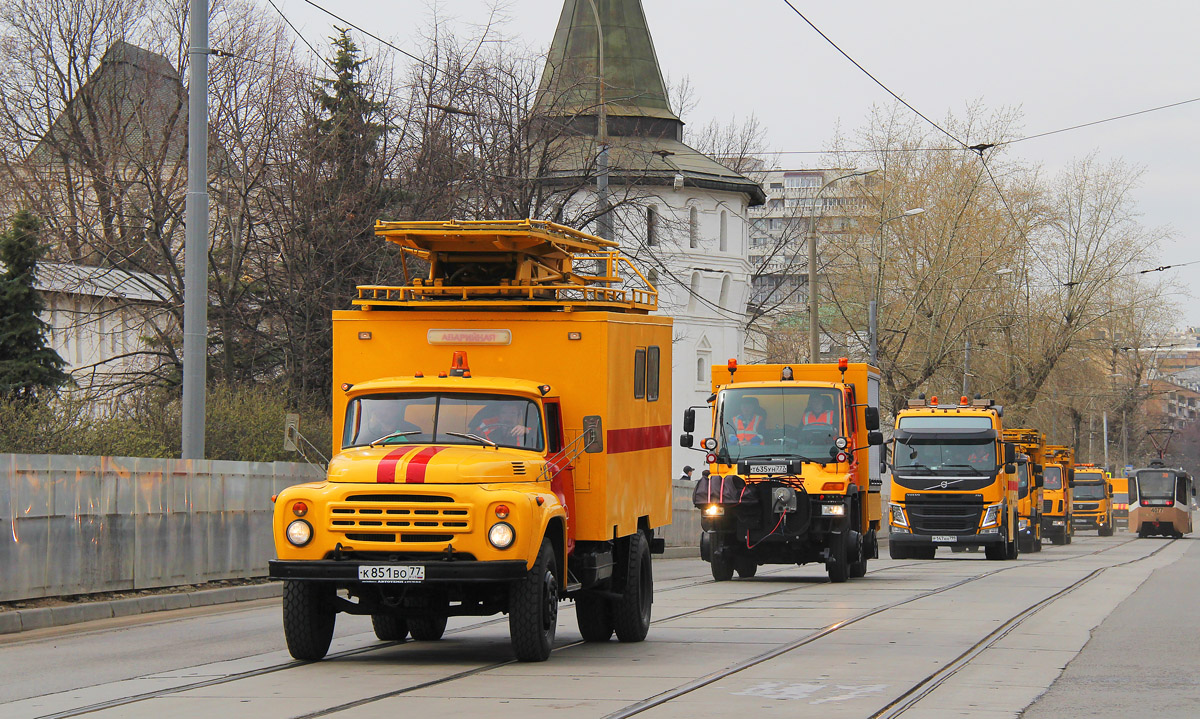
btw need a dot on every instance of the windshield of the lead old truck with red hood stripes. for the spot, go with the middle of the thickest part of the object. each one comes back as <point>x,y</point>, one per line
<point>442,418</point>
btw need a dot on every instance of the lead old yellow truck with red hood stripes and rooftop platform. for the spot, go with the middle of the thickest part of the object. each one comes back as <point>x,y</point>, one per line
<point>503,434</point>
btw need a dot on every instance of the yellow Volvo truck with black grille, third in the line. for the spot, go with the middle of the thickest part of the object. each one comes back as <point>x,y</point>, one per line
<point>955,481</point>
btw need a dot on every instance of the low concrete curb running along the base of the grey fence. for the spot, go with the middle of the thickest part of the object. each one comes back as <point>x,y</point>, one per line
<point>91,612</point>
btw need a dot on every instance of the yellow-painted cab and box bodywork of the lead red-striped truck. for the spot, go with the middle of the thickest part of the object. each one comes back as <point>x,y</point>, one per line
<point>508,352</point>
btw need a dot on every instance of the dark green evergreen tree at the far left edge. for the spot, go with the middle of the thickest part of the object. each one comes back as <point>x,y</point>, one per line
<point>28,367</point>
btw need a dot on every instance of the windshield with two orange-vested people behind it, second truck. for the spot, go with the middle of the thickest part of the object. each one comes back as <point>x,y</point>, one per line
<point>777,422</point>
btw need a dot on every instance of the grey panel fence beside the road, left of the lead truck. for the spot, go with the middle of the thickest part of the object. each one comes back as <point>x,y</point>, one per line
<point>76,525</point>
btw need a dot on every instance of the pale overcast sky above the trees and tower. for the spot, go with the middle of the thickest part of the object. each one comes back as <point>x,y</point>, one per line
<point>1063,63</point>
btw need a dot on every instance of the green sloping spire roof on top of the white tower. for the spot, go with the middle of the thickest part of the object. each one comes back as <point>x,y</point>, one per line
<point>634,83</point>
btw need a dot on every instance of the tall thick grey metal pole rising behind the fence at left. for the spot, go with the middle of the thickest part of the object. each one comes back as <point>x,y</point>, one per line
<point>196,239</point>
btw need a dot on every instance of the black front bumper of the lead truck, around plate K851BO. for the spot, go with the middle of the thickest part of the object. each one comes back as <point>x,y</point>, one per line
<point>345,572</point>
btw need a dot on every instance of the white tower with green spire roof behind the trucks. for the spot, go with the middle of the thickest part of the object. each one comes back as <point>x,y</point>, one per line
<point>680,215</point>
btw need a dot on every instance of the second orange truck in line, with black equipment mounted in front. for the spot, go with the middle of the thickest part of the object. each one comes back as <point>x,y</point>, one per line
<point>793,480</point>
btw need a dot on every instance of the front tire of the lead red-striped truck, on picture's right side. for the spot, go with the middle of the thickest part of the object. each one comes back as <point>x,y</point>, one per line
<point>533,608</point>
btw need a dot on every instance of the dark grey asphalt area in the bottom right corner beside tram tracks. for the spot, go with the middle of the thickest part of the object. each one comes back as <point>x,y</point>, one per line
<point>1143,660</point>
